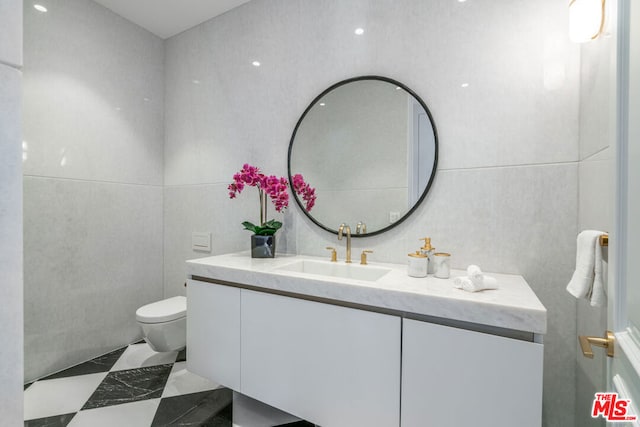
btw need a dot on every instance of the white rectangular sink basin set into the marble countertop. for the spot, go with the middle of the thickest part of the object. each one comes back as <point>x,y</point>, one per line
<point>332,269</point>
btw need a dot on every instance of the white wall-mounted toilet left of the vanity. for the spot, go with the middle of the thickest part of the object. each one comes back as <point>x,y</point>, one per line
<point>164,324</point>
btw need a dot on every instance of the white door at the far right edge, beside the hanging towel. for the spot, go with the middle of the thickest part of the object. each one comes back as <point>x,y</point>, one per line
<point>624,299</point>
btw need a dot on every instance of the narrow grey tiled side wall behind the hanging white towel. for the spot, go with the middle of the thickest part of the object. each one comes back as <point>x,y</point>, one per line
<point>596,201</point>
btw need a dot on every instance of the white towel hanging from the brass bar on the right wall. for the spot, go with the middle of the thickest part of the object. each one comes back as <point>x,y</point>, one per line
<point>587,280</point>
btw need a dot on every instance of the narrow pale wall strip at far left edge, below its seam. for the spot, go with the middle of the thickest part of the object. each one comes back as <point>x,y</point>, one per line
<point>11,315</point>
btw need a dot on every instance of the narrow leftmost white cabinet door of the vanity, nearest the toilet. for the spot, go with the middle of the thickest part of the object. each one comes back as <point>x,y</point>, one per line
<point>213,332</point>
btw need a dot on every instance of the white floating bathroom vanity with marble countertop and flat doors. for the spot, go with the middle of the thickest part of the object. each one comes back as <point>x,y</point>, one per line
<point>352,345</point>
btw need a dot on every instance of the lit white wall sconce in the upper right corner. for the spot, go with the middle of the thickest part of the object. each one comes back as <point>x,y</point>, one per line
<point>586,19</point>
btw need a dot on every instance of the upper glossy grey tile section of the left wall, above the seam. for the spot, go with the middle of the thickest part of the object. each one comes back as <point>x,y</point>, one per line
<point>93,87</point>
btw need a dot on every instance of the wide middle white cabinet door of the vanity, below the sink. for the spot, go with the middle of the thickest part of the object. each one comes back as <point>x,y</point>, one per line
<point>333,366</point>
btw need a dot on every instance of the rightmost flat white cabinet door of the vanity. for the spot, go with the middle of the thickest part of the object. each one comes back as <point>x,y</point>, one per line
<point>454,377</point>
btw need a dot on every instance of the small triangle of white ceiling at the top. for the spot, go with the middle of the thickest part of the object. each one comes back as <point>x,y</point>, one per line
<point>166,18</point>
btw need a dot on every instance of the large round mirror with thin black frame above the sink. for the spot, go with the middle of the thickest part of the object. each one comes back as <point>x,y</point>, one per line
<point>369,147</point>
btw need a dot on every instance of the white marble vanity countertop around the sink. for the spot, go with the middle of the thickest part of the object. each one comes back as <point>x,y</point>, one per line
<point>513,306</point>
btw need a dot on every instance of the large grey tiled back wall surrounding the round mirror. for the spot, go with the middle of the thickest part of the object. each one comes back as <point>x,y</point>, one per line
<point>506,193</point>
